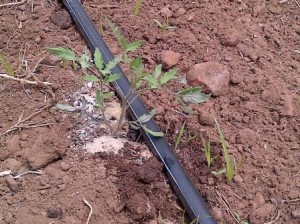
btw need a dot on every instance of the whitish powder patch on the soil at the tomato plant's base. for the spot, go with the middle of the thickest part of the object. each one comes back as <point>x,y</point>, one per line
<point>106,144</point>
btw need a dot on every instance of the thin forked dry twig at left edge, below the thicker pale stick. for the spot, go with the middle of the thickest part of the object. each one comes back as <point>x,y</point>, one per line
<point>19,124</point>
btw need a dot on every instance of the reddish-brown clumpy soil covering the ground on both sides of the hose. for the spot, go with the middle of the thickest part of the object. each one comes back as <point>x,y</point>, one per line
<point>256,40</point>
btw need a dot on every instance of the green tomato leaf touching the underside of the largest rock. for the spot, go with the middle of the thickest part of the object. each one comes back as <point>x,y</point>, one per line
<point>194,95</point>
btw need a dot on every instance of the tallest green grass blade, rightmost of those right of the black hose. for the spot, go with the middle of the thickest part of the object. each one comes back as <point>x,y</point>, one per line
<point>229,164</point>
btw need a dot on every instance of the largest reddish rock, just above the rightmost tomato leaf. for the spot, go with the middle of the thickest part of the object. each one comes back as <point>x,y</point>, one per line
<point>212,76</point>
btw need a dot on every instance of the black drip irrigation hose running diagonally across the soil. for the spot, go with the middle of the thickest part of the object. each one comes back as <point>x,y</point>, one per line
<point>193,203</point>
